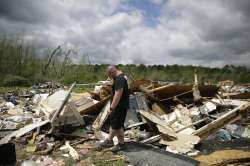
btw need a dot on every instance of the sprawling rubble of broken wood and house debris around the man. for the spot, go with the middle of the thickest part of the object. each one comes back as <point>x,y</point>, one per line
<point>53,121</point>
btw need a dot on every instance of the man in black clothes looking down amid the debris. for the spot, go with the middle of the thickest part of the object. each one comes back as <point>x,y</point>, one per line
<point>118,109</point>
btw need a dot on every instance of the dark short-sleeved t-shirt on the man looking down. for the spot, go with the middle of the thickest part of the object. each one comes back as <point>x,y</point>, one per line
<point>121,82</point>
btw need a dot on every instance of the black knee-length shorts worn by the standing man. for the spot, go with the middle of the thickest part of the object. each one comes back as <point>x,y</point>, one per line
<point>117,118</point>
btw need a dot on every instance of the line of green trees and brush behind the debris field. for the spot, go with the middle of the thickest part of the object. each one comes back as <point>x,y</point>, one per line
<point>20,65</point>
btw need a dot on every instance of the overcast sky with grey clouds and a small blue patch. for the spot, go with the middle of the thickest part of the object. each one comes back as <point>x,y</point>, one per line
<point>198,32</point>
